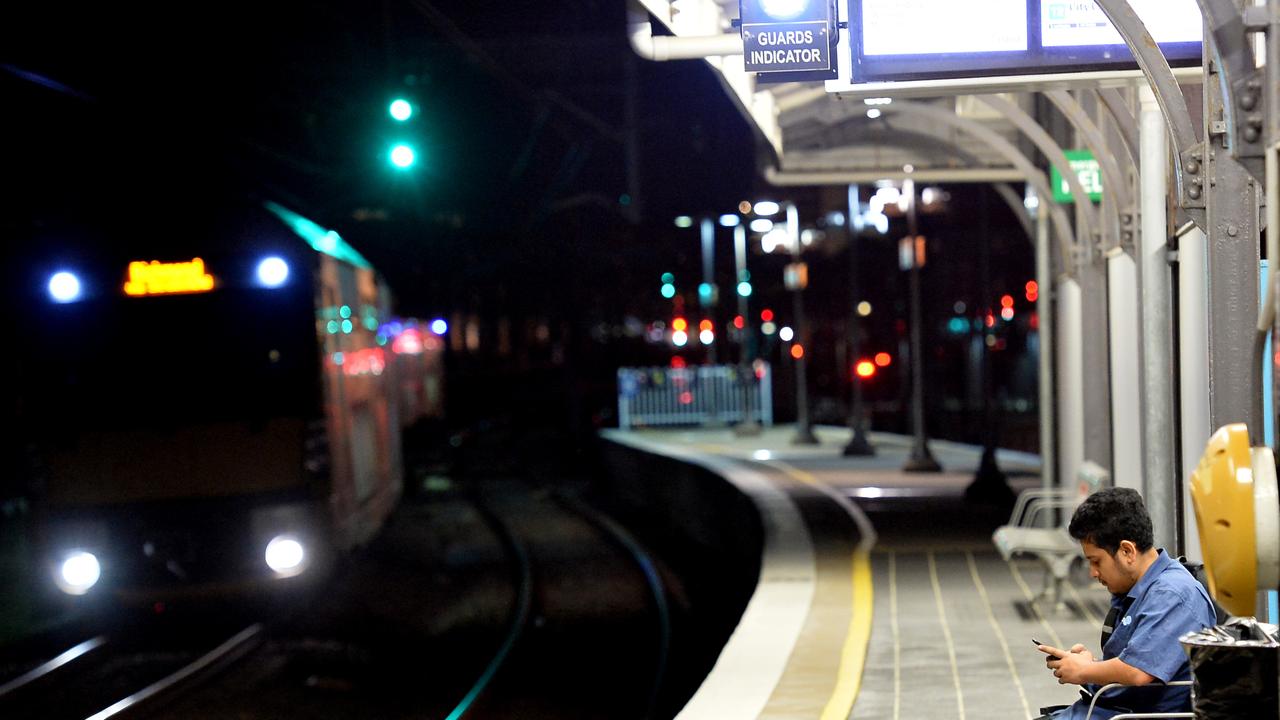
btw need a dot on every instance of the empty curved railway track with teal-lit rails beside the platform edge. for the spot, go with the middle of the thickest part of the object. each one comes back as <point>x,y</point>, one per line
<point>591,627</point>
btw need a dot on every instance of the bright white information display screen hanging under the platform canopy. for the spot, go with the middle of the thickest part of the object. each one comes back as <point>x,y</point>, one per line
<point>897,40</point>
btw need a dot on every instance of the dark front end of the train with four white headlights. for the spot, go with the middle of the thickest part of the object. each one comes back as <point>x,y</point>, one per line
<point>177,423</point>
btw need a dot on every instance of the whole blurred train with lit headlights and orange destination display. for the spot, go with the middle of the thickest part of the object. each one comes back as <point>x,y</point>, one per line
<point>216,416</point>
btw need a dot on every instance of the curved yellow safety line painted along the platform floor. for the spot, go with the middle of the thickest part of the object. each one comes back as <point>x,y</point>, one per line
<point>853,658</point>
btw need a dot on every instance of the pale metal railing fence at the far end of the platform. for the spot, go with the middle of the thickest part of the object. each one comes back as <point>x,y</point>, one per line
<point>702,395</point>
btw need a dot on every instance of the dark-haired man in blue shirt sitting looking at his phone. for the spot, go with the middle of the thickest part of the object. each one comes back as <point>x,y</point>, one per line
<point>1155,601</point>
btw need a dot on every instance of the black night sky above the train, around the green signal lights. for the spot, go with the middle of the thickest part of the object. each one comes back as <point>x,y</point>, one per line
<point>522,130</point>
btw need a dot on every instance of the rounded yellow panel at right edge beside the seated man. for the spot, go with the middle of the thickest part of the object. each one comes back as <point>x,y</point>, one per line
<point>1223,496</point>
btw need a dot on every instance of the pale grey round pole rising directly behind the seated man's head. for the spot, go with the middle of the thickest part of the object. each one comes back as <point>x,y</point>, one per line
<point>1154,290</point>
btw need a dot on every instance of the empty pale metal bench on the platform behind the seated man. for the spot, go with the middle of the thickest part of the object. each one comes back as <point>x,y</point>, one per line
<point>1027,532</point>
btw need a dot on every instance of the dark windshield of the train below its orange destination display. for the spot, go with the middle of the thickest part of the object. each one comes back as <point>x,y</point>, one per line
<point>134,363</point>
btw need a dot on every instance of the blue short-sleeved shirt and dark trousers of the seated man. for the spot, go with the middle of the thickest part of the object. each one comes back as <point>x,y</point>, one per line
<point>1165,604</point>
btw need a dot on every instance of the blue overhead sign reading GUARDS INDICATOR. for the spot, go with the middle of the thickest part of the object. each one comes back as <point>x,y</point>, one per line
<point>788,37</point>
